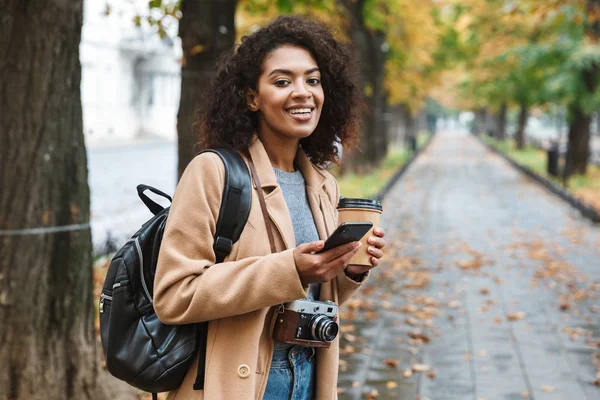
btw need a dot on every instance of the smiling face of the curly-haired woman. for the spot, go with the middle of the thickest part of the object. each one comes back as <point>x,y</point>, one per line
<point>289,96</point>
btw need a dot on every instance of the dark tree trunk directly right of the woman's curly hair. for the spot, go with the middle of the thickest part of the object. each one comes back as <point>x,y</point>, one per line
<point>374,136</point>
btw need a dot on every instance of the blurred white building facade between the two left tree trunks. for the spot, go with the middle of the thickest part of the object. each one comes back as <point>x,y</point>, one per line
<point>130,76</point>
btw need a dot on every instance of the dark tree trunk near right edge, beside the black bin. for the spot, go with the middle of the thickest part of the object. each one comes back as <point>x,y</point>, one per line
<point>579,141</point>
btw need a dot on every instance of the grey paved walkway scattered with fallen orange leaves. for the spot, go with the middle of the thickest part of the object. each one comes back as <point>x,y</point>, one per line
<point>491,289</point>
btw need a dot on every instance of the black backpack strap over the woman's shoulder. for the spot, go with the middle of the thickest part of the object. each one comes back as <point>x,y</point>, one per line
<point>236,203</point>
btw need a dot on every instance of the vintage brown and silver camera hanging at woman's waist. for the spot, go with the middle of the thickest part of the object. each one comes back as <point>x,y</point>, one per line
<point>307,323</point>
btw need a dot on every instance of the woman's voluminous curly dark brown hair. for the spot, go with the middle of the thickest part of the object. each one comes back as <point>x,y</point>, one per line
<point>226,119</point>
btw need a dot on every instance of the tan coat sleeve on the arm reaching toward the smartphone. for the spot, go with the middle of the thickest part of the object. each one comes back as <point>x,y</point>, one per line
<point>189,287</point>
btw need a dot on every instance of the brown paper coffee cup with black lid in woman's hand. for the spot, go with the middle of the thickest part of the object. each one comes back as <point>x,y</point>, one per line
<point>360,210</point>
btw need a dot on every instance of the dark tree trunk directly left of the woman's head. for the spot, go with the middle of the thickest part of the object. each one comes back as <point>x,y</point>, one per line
<point>207,30</point>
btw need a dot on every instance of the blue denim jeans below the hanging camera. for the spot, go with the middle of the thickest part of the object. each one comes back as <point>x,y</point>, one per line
<point>292,374</point>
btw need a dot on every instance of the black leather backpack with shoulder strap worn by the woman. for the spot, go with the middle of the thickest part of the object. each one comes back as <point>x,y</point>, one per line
<point>138,348</point>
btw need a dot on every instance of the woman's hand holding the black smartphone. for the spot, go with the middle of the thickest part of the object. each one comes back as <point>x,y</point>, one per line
<point>314,268</point>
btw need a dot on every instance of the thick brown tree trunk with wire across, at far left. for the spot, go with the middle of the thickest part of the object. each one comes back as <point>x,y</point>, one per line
<point>47,340</point>
